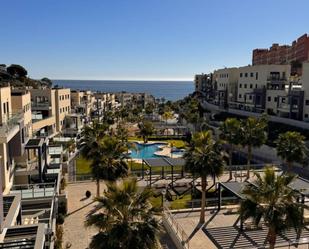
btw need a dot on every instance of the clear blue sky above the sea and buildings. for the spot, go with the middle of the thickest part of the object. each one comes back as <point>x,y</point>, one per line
<point>142,39</point>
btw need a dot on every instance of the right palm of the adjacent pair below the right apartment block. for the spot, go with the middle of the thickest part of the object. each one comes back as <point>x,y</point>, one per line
<point>252,134</point>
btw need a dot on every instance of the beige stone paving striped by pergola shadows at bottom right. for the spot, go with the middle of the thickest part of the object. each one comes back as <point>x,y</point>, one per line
<point>221,230</point>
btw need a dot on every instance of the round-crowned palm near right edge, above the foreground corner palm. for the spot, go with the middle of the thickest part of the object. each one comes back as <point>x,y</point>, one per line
<point>291,147</point>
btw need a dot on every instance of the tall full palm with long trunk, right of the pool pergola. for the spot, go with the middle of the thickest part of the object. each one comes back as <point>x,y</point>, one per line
<point>203,158</point>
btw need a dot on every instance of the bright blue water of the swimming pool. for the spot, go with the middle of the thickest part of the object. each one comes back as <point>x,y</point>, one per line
<point>145,151</point>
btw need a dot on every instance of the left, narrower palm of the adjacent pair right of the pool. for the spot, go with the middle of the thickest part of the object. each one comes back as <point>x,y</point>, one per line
<point>230,133</point>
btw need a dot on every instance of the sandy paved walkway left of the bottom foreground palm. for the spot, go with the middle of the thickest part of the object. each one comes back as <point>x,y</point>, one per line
<point>78,206</point>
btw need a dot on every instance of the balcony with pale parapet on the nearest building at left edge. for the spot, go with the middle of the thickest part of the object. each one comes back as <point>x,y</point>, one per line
<point>10,126</point>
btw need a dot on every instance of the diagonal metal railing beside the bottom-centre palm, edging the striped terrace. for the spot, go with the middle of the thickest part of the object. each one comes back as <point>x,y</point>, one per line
<point>176,228</point>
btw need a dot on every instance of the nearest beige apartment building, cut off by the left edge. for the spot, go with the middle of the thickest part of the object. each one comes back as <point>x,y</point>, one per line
<point>15,129</point>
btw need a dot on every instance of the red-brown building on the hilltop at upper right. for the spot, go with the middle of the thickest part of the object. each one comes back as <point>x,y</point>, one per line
<point>283,54</point>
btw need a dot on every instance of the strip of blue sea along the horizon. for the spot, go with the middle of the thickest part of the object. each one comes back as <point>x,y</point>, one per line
<point>170,90</point>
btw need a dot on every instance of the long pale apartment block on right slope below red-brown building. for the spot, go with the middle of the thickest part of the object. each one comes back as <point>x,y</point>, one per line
<point>271,89</point>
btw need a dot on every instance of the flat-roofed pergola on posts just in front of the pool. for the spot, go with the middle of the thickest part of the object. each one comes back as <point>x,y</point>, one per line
<point>162,162</point>
